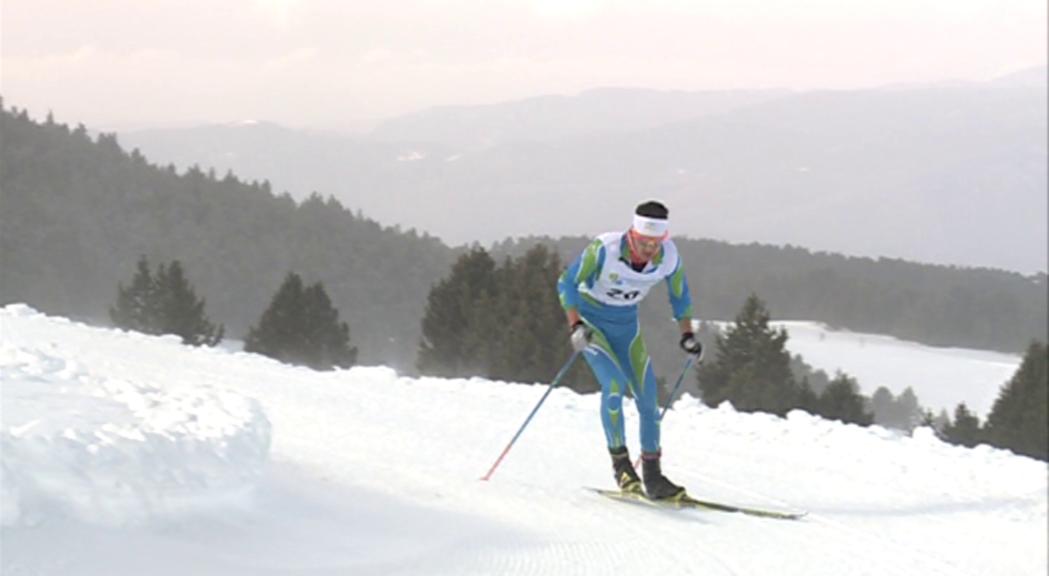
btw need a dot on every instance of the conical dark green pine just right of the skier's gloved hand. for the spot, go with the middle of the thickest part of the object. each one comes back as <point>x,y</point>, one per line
<point>752,367</point>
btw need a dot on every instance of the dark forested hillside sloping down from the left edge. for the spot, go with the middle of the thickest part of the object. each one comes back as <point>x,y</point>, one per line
<point>78,215</point>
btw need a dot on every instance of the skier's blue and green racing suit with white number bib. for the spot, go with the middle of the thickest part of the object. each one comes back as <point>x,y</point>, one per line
<point>606,290</point>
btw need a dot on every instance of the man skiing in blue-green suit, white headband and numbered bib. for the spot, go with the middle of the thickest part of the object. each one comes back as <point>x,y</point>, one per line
<point>601,293</point>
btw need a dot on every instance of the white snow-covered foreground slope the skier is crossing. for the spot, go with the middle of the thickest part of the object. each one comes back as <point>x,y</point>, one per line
<point>219,462</point>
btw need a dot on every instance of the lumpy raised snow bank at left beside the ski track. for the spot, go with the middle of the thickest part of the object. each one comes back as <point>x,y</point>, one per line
<point>114,452</point>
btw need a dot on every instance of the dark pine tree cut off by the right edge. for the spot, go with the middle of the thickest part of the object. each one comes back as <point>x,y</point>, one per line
<point>1019,420</point>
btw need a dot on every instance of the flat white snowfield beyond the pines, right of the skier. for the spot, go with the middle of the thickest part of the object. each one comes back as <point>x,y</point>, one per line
<point>941,378</point>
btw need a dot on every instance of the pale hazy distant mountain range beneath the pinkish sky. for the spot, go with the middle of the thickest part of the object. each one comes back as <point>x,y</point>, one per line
<point>953,174</point>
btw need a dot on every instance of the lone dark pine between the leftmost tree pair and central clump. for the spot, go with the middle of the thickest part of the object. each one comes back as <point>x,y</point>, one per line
<point>302,327</point>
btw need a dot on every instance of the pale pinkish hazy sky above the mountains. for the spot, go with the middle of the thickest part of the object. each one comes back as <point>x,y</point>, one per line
<point>116,65</point>
